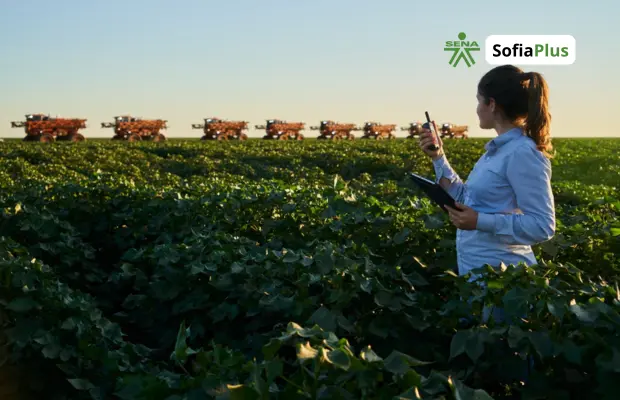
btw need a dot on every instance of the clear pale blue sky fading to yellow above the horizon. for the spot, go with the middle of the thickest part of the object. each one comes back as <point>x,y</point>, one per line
<point>345,60</point>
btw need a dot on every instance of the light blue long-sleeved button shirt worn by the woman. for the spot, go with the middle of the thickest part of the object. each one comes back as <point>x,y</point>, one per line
<point>510,188</point>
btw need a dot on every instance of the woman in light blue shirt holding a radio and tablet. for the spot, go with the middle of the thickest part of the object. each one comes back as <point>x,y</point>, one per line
<point>506,205</point>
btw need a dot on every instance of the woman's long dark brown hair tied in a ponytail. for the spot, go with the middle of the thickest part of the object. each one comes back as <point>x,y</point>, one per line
<point>523,98</point>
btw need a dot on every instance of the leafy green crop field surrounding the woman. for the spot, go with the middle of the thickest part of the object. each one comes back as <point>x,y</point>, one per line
<point>188,270</point>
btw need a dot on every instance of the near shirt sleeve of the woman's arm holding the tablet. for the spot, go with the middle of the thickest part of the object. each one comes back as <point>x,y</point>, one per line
<point>529,173</point>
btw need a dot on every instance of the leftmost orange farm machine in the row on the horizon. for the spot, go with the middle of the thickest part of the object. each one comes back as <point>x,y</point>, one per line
<point>43,128</point>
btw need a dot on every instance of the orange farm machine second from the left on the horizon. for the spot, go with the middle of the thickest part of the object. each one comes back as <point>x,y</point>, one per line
<point>132,129</point>
